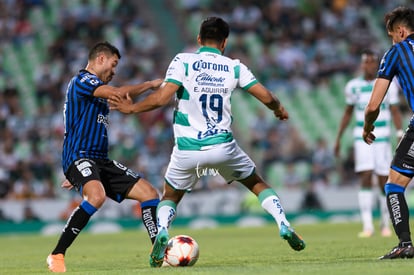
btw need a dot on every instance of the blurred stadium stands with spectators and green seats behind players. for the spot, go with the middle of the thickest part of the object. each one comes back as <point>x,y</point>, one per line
<point>303,50</point>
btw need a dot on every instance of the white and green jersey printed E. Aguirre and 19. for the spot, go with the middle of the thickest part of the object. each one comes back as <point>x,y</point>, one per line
<point>207,80</point>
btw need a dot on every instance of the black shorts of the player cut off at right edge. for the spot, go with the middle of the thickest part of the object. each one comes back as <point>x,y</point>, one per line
<point>403,161</point>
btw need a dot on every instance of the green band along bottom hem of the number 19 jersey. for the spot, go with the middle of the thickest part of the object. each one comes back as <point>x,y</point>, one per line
<point>193,144</point>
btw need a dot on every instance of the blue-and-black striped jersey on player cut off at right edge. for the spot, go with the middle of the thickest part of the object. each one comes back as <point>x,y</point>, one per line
<point>399,61</point>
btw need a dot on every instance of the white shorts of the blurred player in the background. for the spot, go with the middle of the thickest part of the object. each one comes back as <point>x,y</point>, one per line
<point>376,157</point>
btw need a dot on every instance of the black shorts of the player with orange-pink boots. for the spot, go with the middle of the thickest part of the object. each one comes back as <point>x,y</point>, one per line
<point>115,177</point>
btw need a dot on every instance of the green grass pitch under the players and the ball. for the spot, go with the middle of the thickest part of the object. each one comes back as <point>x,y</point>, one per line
<point>331,249</point>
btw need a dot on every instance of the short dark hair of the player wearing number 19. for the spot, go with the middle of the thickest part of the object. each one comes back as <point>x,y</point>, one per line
<point>214,28</point>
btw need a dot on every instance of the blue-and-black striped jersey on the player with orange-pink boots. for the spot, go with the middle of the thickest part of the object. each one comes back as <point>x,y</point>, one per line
<point>86,120</point>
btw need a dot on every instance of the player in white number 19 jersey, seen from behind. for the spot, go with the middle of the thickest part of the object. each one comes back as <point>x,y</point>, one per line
<point>202,84</point>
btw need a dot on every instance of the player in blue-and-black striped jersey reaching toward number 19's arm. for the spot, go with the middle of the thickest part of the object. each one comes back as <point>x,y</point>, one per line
<point>85,159</point>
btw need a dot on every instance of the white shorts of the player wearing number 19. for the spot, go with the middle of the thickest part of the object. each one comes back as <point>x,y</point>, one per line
<point>226,159</point>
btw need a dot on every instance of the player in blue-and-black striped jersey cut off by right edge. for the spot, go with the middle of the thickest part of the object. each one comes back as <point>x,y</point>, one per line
<point>397,61</point>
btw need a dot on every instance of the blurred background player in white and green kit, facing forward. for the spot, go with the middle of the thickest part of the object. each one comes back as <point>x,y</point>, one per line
<point>374,159</point>
